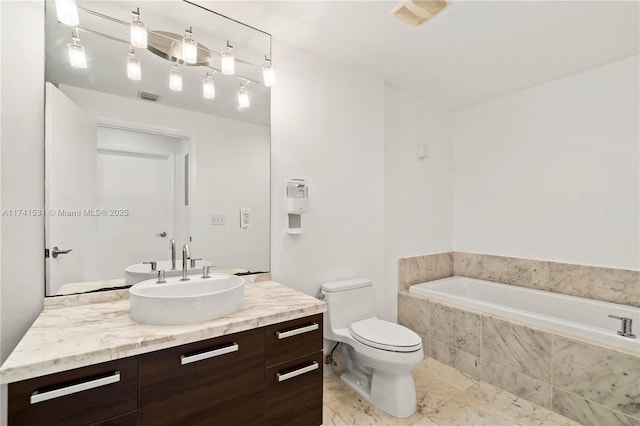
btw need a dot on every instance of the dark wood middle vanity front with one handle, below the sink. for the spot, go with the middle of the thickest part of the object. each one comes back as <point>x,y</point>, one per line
<point>213,382</point>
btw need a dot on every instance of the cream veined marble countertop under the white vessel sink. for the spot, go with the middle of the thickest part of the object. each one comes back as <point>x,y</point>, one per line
<point>70,337</point>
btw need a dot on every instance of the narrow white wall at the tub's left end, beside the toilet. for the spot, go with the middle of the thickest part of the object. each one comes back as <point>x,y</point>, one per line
<point>418,193</point>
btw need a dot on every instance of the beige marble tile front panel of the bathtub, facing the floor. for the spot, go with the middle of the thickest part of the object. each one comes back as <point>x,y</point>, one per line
<point>588,383</point>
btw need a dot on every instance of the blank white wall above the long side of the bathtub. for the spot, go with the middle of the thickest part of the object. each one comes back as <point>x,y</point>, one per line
<point>552,172</point>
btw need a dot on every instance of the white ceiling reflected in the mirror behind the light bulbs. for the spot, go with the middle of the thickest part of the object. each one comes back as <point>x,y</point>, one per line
<point>106,57</point>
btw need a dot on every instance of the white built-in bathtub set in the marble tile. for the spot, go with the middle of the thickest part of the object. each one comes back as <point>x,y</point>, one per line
<point>574,316</point>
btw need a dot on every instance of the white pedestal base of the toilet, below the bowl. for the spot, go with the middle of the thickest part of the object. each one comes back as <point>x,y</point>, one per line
<point>395,395</point>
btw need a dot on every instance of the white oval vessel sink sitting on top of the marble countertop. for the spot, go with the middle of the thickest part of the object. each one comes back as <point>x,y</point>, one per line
<point>182,302</point>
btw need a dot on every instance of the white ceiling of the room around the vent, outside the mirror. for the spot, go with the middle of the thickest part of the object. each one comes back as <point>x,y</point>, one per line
<point>471,52</point>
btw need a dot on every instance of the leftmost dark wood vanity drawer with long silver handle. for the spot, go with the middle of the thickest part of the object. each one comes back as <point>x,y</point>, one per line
<point>76,397</point>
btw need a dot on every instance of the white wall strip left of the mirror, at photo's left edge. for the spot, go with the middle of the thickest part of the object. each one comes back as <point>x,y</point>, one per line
<point>22,172</point>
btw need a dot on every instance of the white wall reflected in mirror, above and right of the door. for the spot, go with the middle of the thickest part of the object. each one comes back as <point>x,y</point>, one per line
<point>218,146</point>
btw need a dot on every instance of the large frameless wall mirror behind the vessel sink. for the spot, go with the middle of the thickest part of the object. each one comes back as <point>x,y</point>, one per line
<point>149,146</point>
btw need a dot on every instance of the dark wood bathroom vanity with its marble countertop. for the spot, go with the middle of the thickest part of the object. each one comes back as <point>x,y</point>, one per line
<point>91,364</point>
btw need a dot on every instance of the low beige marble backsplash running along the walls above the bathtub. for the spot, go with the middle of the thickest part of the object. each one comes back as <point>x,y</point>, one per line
<point>592,282</point>
